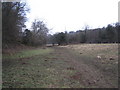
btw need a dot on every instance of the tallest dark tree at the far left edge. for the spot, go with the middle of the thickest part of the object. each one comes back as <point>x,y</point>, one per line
<point>13,19</point>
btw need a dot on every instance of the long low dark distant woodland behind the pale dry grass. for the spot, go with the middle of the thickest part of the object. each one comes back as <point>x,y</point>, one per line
<point>109,34</point>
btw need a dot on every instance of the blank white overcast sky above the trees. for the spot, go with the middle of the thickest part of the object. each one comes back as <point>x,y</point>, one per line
<point>72,15</point>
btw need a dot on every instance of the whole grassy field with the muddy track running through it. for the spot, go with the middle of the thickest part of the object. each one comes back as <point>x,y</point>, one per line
<point>71,66</point>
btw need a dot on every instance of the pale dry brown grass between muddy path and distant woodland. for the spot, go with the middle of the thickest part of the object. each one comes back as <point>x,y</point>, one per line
<point>107,52</point>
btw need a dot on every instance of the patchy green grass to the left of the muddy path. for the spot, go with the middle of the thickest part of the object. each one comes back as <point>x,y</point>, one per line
<point>36,72</point>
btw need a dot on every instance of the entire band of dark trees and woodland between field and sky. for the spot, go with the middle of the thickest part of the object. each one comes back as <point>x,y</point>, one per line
<point>13,22</point>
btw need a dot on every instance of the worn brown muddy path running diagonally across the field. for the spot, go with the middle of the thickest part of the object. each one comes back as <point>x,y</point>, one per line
<point>88,74</point>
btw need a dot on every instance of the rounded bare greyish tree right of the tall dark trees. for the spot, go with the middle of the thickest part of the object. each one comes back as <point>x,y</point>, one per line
<point>40,31</point>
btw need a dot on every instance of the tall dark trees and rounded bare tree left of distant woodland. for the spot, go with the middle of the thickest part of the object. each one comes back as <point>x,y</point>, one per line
<point>13,22</point>
